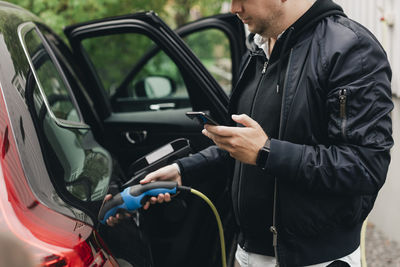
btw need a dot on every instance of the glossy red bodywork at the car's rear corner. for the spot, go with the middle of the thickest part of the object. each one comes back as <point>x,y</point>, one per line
<point>44,231</point>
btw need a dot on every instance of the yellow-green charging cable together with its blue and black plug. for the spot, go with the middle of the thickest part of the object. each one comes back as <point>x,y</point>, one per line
<point>134,197</point>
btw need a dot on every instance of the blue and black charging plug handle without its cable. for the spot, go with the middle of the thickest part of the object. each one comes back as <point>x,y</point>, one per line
<point>134,197</point>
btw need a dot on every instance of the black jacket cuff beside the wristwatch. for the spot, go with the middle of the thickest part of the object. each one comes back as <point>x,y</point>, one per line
<point>284,159</point>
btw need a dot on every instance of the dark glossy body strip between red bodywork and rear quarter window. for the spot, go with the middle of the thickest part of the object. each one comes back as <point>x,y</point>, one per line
<point>13,83</point>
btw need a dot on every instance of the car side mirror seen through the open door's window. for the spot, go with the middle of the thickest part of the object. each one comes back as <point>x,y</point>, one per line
<point>154,87</point>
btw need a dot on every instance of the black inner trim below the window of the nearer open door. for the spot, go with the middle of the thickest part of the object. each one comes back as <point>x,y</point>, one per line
<point>159,128</point>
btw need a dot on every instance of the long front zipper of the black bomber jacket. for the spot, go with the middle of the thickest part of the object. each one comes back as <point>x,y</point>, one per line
<point>273,228</point>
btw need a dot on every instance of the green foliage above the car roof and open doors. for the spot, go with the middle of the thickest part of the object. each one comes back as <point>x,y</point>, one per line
<point>61,13</point>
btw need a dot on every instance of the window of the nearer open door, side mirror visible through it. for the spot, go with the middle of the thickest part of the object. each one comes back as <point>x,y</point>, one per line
<point>133,69</point>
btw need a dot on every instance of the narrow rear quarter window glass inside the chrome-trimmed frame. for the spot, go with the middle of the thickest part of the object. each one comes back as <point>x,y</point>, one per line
<point>52,84</point>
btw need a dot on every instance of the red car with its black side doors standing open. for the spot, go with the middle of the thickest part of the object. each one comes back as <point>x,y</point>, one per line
<point>77,121</point>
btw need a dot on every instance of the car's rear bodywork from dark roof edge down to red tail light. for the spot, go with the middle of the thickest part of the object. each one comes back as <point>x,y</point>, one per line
<point>30,207</point>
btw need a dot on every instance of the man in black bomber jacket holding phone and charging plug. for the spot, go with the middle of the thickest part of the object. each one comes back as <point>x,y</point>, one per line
<point>312,142</point>
